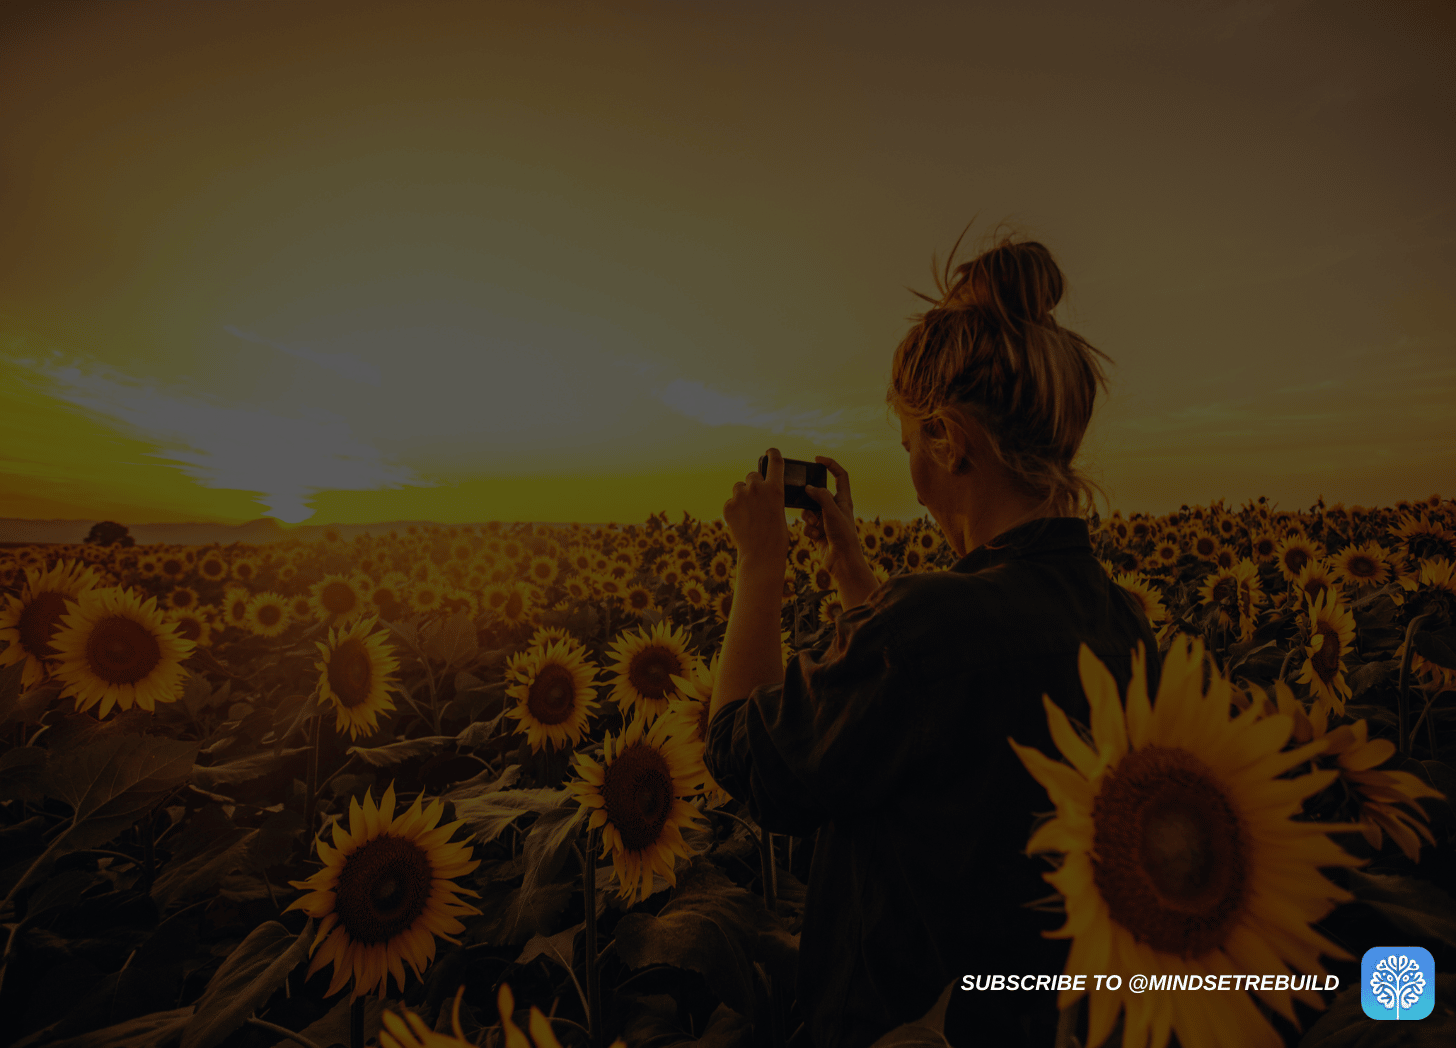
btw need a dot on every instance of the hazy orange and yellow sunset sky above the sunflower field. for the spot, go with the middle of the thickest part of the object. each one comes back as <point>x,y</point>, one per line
<point>355,263</point>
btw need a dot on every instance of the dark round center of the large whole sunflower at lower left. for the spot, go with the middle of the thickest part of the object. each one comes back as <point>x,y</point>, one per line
<point>384,890</point>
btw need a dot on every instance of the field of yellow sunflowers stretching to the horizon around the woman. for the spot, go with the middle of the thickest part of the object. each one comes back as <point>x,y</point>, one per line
<point>446,787</point>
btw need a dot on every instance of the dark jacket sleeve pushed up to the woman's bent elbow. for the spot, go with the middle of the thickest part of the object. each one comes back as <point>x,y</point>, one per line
<point>826,743</point>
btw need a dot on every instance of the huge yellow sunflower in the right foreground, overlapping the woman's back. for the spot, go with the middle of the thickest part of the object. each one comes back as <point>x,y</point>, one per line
<point>1180,857</point>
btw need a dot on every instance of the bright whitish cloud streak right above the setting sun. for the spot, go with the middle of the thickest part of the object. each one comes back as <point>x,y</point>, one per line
<point>286,459</point>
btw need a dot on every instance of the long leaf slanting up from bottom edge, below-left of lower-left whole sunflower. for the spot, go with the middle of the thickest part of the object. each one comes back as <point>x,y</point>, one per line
<point>248,977</point>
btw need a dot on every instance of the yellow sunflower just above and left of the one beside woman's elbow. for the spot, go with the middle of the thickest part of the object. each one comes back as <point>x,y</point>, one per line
<point>554,694</point>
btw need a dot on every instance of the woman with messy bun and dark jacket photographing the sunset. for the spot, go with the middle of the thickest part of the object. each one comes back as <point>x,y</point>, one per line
<point>890,743</point>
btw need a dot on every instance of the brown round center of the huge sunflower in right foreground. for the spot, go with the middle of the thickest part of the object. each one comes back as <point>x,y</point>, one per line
<point>1171,852</point>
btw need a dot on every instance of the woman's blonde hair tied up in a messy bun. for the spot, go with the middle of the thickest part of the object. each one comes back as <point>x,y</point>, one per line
<point>991,353</point>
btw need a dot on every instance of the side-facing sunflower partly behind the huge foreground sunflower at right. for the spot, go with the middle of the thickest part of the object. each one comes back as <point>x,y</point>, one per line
<point>1384,797</point>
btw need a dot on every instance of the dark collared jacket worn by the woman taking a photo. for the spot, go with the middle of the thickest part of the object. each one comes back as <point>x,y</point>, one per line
<point>892,742</point>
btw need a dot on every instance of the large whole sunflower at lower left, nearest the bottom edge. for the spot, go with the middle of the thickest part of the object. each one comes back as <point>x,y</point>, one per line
<point>385,893</point>
